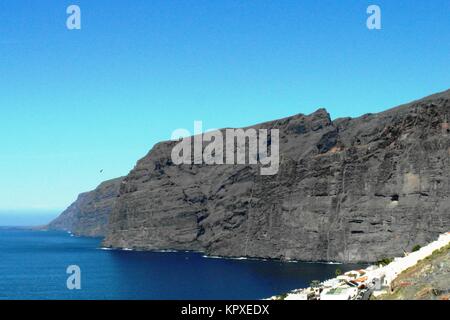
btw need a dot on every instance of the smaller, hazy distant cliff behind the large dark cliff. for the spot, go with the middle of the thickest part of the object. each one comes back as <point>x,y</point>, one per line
<point>88,215</point>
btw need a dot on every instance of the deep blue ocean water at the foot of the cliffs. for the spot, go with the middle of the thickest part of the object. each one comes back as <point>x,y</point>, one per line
<point>33,266</point>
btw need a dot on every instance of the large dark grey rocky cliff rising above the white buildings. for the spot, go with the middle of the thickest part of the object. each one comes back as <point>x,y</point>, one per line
<point>347,190</point>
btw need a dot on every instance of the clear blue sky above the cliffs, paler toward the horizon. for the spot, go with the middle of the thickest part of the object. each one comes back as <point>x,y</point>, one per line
<point>75,102</point>
